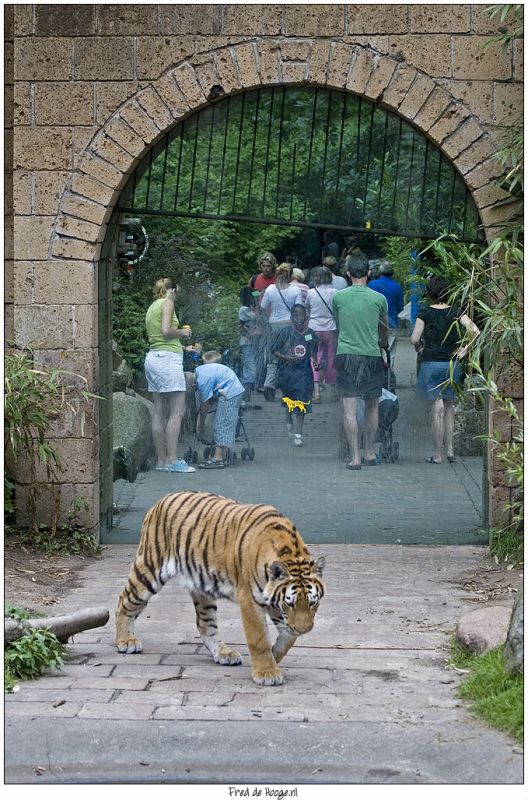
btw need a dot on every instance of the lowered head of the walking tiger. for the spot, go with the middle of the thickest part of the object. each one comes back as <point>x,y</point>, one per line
<point>293,591</point>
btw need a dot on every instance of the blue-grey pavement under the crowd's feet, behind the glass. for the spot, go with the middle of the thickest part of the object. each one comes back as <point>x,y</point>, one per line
<point>408,502</point>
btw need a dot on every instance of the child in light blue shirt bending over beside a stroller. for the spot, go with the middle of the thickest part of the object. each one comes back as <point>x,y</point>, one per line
<point>217,383</point>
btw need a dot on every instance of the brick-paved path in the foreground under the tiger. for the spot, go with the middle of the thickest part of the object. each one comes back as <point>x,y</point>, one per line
<point>367,699</point>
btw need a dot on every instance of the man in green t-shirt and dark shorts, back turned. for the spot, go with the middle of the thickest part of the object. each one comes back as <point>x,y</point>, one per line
<point>362,321</point>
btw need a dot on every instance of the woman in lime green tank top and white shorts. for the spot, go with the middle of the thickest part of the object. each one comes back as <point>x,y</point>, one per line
<point>165,377</point>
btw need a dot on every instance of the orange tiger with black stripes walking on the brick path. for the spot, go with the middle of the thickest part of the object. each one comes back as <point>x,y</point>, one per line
<point>220,548</point>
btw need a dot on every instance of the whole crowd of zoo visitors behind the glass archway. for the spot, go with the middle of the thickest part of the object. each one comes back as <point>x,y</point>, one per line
<point>301,331</point>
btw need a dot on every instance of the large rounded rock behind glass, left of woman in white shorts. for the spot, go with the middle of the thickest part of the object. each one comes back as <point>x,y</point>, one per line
<point>133,446</point>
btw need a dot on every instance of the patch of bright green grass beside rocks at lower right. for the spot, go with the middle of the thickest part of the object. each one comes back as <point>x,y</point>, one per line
<point>494,695</point>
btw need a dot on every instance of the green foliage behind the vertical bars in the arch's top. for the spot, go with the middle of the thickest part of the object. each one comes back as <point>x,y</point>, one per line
<point>304,154</point>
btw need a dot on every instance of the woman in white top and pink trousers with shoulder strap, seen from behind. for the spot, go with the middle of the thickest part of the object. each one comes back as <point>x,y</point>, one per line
<point>322,321</point>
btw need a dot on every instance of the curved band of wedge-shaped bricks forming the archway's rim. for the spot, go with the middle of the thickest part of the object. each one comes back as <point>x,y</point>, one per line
<point>115,150</point>
